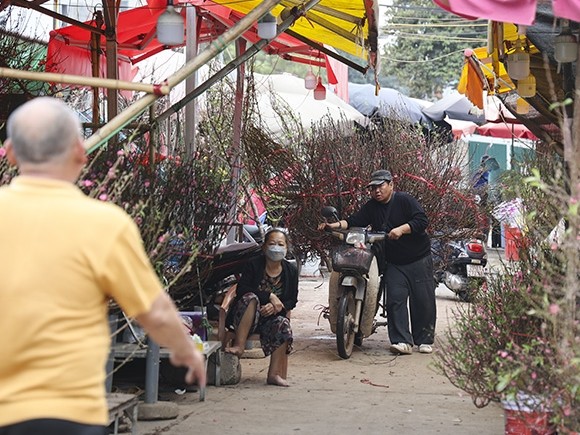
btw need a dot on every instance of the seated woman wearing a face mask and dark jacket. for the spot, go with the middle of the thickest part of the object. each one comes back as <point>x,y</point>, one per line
<point>266,292</point>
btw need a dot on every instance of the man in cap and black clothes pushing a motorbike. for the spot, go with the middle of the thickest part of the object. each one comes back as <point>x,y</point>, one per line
<point>408,268</point>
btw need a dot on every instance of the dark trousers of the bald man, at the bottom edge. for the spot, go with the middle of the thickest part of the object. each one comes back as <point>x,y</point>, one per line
<point>52,426</point>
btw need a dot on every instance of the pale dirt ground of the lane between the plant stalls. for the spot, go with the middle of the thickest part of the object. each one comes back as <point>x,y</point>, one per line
<point>373,392</point>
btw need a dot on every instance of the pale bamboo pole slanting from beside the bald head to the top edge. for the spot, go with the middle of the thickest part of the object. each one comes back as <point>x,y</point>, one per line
<point>217,46</point>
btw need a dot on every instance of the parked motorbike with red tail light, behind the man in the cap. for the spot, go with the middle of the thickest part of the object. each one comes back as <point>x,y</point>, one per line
<point>460,265</point>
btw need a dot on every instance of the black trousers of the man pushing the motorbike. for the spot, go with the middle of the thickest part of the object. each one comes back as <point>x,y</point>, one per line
<point>413,284</point>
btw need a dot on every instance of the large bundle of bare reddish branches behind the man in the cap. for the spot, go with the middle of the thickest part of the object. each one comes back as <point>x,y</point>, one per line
<point>332,164</point>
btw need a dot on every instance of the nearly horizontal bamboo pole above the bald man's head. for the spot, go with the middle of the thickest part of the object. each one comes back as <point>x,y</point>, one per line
<point>83,81</point>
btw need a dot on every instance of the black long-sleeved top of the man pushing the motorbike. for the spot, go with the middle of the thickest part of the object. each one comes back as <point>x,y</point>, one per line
<point>401,209</point>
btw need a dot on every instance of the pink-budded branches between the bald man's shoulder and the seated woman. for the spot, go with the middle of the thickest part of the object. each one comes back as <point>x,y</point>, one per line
<point>175,203</point>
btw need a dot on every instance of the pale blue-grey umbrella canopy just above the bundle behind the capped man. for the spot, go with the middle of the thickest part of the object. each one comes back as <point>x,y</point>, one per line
<point>390,103</point>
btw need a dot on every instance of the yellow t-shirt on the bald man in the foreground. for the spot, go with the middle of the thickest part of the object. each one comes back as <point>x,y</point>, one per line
<point>62,257</point>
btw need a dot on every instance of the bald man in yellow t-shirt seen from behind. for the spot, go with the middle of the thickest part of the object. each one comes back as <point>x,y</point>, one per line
<point>63,256</point>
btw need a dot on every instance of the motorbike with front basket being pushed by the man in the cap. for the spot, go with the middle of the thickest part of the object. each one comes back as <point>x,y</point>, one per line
<point>355,288</point>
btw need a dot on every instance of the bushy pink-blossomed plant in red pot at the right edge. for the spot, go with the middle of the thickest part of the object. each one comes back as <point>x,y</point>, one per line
<point>518,344</point>
